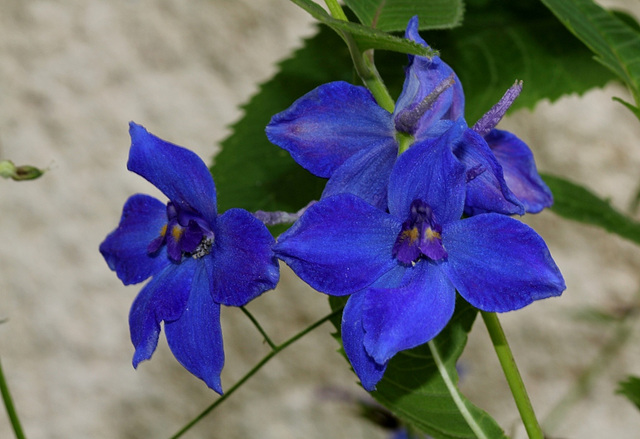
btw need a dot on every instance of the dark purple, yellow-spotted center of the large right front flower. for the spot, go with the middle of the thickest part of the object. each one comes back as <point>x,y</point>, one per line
<point>420,236</point>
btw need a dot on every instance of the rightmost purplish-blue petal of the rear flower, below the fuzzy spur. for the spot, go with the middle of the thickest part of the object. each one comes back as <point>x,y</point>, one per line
<point>520,170</point>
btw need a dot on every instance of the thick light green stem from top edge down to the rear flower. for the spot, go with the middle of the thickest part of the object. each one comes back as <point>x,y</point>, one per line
<point>363,64</point>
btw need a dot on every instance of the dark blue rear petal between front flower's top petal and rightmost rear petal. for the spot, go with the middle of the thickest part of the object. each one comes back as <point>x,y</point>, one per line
<point>487,190</point>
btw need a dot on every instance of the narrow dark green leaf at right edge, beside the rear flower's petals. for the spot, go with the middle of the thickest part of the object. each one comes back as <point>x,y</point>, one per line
<point>577,203</point>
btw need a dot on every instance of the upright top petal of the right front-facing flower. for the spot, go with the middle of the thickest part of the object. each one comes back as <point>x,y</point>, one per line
<point>429,171</point>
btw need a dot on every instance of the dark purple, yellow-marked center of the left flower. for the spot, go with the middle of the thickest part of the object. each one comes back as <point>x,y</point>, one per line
<point>185,234</point>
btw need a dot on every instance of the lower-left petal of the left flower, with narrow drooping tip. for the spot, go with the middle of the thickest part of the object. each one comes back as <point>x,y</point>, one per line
<point>163,298</point>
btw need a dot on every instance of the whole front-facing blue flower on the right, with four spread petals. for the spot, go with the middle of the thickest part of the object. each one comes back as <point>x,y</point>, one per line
<point>402,268</point>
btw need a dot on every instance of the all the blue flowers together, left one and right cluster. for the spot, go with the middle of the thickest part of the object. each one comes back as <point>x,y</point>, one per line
<point>417,206</point>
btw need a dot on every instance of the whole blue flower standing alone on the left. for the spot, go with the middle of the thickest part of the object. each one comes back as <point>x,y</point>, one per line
<point>197,259</point>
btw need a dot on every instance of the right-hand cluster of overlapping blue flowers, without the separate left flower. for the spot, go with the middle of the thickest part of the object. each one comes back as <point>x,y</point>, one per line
<point>416,208</point>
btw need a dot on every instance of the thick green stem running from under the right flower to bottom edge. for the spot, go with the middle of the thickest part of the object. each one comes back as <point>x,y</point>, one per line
<point>512,375</point>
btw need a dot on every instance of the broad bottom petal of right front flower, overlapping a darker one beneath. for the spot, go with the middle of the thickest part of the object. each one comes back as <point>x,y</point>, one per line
<point>396,319</point>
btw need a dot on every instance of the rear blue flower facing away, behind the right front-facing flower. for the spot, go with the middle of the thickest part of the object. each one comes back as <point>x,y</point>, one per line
<point>338,131</point>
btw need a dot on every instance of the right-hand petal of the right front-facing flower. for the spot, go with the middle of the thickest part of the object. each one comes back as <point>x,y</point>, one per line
<point>498,263</point>
